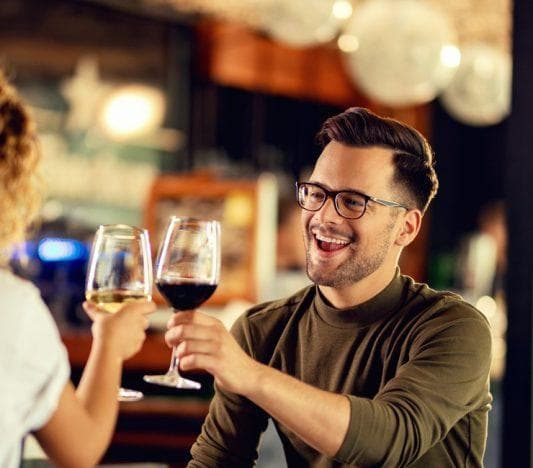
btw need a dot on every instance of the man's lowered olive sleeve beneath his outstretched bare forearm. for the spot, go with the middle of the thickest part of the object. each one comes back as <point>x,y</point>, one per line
<point>232,429</point>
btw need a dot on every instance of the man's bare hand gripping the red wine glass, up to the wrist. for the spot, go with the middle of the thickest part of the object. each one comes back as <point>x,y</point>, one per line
<point>204,343</point>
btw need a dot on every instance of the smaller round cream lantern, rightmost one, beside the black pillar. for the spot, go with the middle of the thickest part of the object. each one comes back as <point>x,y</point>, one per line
<point>480,93</point>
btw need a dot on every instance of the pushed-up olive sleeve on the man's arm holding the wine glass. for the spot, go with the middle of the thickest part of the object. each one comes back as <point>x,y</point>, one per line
<point>445,378</point>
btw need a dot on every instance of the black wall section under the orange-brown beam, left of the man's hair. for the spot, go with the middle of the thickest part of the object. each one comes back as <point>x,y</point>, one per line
<point>255,130</point>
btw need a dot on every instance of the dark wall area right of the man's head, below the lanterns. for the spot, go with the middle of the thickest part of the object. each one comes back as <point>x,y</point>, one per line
<point>470,166</point>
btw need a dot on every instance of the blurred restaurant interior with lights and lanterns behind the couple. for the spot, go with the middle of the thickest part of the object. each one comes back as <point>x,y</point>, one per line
<point>147,108</point>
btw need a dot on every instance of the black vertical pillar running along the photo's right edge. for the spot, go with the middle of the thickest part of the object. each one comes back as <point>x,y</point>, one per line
<point>518,385</point>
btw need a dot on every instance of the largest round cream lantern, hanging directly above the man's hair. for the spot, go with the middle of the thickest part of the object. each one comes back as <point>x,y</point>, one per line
<point>406,51</point>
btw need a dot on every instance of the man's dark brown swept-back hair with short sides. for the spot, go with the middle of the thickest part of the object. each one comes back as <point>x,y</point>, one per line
<point>413,156</point>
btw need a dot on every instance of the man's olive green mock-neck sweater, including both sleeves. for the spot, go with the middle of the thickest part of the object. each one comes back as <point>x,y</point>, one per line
<point>413,362</point>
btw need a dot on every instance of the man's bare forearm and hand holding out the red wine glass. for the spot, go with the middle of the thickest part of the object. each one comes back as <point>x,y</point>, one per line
<point>320,418</point>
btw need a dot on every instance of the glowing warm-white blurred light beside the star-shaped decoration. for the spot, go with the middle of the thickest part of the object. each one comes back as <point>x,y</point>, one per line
<point>132,111</point>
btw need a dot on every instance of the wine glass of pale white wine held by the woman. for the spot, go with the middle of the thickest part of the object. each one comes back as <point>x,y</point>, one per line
<point>120,271</point>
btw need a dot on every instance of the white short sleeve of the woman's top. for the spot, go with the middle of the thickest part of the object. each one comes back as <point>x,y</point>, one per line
<point>33,362</point>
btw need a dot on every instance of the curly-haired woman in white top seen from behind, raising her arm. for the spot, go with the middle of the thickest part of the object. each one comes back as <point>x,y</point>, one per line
<point>74,427</point>
